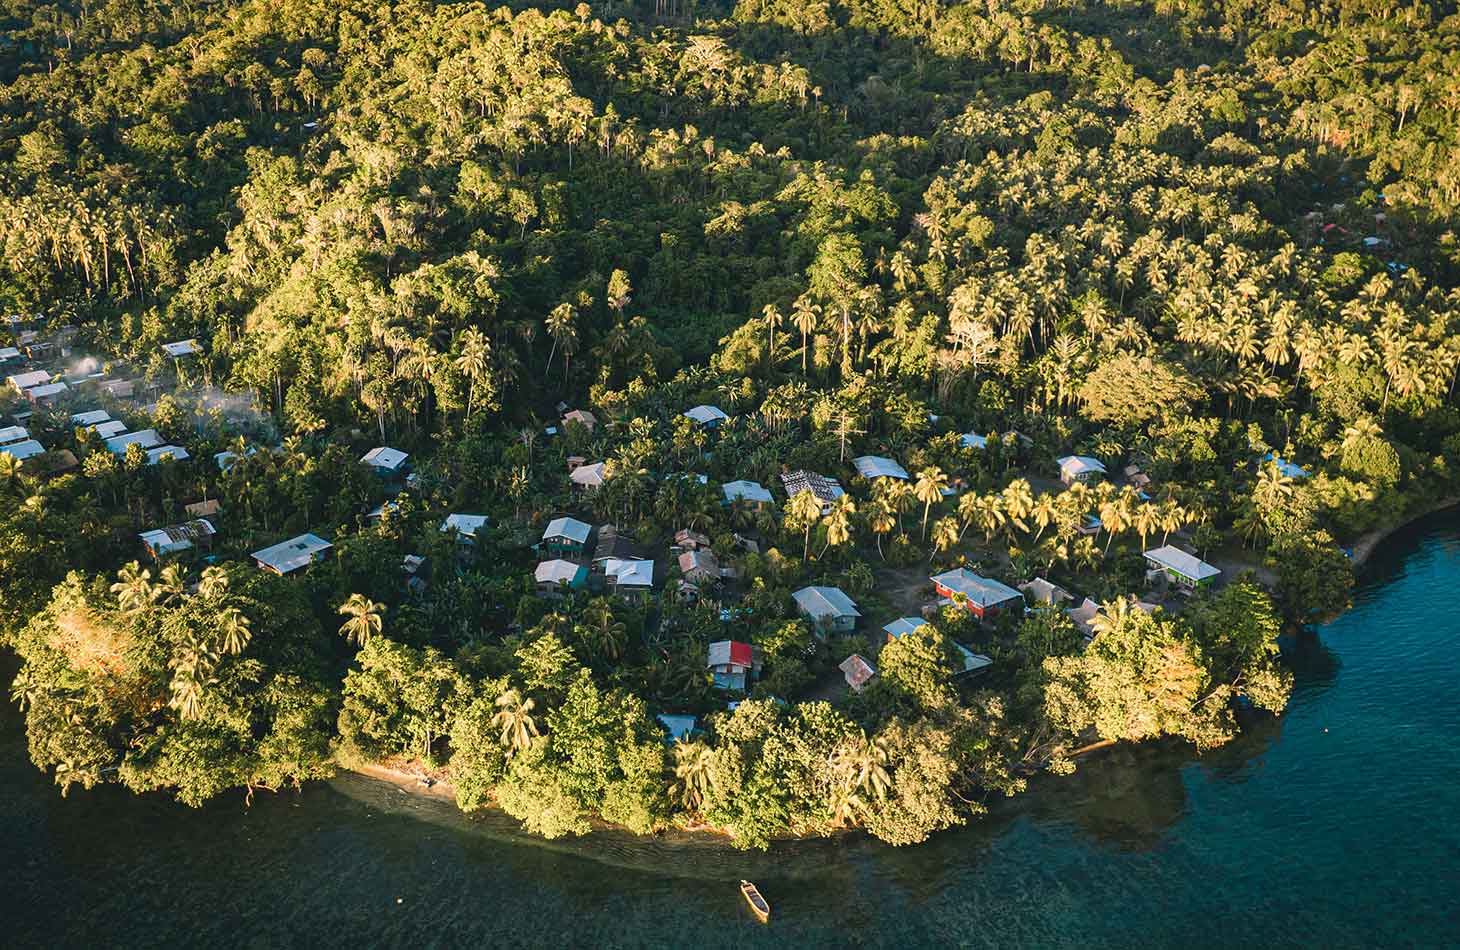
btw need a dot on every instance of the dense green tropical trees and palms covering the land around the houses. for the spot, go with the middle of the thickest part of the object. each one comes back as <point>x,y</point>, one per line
<point>1210,246</point>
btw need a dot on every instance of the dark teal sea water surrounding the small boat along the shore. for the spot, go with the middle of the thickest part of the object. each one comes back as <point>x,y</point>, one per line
<point>1337,827</point>
